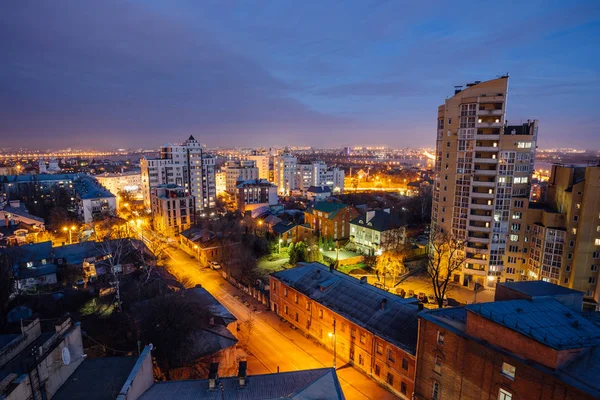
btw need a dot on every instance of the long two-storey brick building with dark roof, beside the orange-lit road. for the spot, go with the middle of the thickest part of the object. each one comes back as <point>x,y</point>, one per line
<point>371,329</point>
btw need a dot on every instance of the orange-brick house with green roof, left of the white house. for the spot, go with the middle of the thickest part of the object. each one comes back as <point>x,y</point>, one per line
<point>330,220</point>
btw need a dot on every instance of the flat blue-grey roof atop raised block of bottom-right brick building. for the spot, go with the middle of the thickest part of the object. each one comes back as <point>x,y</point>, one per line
<point>545,320</point>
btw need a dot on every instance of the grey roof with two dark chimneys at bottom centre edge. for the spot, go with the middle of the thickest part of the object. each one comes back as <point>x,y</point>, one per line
<point>308,384</point>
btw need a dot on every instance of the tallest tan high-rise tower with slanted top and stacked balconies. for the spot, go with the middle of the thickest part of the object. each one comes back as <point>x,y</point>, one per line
<point>482,176</point>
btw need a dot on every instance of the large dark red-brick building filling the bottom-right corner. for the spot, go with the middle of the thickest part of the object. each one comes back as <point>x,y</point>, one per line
<point>533,342</point>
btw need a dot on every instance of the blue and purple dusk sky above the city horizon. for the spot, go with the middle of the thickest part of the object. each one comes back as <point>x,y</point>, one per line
<point>117,74</point>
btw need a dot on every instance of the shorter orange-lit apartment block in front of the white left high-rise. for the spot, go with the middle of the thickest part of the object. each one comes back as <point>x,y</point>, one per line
<point>172,209</point>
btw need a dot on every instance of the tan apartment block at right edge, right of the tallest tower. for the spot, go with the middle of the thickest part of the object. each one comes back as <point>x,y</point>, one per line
<point>559,239</point>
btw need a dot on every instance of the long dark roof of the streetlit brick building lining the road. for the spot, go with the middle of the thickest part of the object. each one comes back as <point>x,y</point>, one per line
<point>359,302</point>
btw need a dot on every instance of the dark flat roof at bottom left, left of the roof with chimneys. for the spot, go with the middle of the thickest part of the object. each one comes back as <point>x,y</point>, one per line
<point>97,379</point>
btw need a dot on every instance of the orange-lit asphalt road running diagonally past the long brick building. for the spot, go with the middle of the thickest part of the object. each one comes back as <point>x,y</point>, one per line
<point>272,345</point>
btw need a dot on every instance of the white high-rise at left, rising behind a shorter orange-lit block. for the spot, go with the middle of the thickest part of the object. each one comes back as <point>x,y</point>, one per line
<point>187,165</point>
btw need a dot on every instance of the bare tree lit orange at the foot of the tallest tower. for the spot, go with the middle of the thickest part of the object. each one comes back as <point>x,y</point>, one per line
<point>446,257</point>
